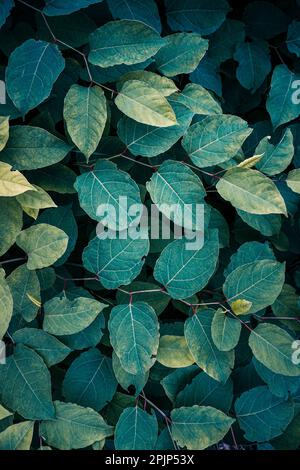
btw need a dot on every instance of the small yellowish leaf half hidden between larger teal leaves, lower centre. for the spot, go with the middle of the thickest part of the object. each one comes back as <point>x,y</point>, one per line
<point>174,352</point>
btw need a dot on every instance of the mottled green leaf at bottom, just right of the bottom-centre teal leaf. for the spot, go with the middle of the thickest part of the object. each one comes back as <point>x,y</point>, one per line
<point>198,427</point>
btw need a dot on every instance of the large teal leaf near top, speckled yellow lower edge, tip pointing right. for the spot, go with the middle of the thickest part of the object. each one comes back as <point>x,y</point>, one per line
<point>123,42</point>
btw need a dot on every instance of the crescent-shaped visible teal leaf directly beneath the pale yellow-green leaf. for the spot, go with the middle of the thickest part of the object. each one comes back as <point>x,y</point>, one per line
<point>149,141</point>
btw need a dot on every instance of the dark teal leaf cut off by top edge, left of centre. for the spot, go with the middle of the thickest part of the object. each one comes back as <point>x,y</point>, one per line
<point>145,11</point>
